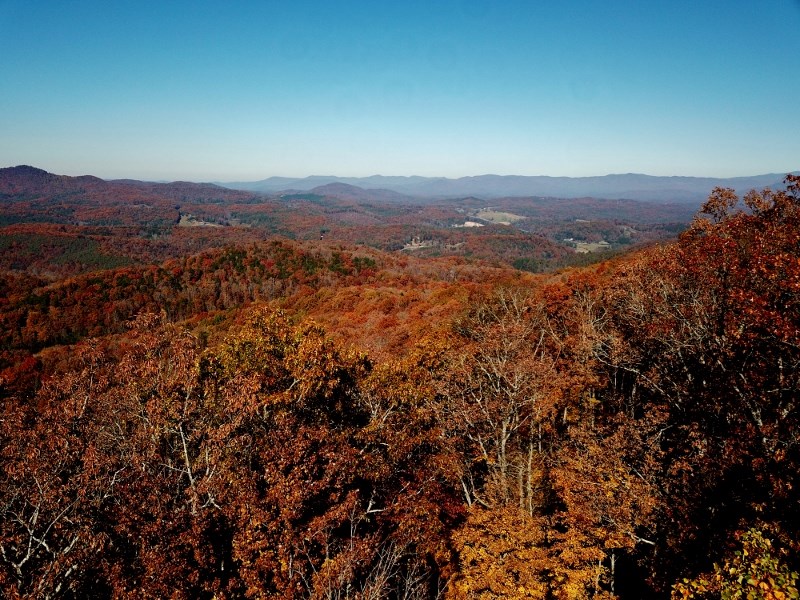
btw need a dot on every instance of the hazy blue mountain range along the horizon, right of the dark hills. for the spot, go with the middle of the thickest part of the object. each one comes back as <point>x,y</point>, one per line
<point>629,186</point>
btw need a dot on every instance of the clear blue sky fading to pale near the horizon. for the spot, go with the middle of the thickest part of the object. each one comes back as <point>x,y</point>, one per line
<point>241,91</point>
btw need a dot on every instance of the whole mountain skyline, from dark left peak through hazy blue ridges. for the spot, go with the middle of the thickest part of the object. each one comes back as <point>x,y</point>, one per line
<point>647,188</point>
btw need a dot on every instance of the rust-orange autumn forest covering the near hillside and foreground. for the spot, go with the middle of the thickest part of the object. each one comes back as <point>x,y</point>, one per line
<point>275,418</point>
